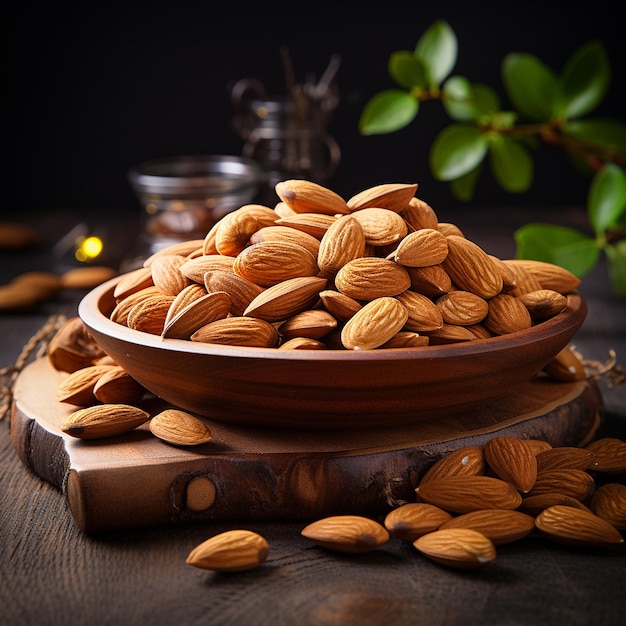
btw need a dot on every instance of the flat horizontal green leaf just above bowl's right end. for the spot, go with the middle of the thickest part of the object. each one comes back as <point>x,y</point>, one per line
<point>563,246</point>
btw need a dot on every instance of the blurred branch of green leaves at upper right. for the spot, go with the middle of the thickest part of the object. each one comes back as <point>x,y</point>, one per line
<point>547,108</point>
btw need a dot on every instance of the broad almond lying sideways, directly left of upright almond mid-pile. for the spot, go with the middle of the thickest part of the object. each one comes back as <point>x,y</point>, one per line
<point>270,262</point>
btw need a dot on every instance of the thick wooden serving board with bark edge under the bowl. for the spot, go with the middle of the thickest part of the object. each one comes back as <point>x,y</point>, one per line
<point>248,473</point>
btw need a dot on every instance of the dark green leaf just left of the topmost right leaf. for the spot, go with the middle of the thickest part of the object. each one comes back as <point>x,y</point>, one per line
<point>530,85</point>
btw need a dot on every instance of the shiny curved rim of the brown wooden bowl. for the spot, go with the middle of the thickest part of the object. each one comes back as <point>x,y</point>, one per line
<point>90,310</point>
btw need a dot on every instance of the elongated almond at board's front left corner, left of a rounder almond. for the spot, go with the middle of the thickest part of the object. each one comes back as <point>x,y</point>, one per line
<point>103,420</point>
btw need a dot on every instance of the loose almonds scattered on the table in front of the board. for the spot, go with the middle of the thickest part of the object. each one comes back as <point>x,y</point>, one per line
<point>470,502</point>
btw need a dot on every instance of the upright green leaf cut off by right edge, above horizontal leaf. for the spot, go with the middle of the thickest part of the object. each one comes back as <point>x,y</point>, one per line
<point>607,198</point>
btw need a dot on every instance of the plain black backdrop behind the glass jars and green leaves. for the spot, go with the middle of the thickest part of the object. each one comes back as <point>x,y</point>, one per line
<point>91,89</point>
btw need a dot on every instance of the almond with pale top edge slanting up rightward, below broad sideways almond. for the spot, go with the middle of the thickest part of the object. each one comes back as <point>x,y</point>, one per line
<point>291,296</point>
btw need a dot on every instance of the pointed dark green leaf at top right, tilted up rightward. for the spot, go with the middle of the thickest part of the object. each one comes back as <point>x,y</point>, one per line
<point>584,81</point>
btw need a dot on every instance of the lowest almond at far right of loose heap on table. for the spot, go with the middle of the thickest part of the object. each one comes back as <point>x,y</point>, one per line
<point>577,527</point>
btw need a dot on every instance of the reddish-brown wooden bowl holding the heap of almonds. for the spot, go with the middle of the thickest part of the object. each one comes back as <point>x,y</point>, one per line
<point>328,389</point>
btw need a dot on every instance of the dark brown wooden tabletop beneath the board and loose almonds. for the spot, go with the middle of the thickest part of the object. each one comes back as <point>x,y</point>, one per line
<point>52,573</point>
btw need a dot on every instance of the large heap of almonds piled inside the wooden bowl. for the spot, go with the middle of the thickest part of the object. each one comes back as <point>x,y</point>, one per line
<point>316,271</point>
